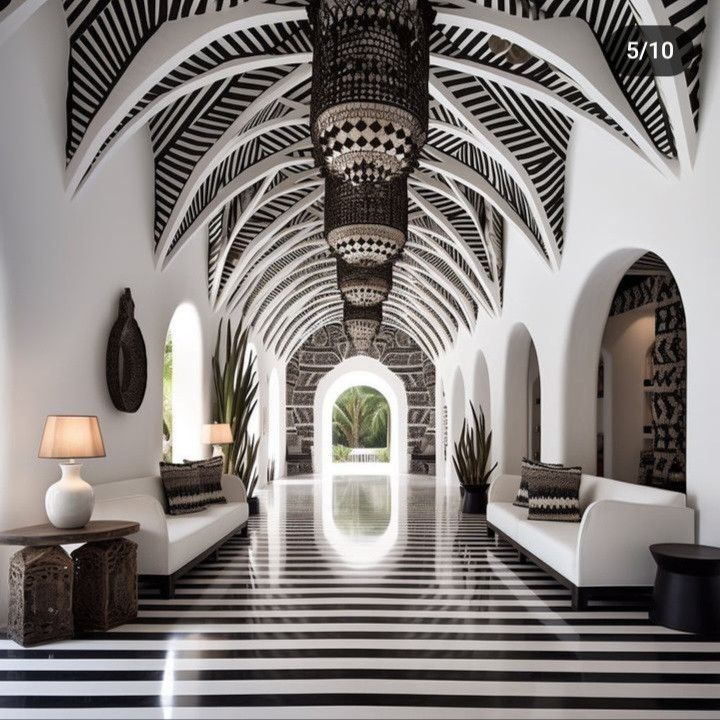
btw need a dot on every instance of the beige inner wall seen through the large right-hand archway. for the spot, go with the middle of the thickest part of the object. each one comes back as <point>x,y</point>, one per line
<point>626,339</point>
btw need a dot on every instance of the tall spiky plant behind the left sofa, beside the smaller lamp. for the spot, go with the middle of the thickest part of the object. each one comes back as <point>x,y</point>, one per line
<point>235,383</point>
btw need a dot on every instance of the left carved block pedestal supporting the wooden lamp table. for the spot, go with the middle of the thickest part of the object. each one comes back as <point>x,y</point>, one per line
<point>41,581</point>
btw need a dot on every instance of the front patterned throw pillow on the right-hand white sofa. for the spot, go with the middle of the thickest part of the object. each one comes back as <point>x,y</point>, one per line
<point>554,493</point>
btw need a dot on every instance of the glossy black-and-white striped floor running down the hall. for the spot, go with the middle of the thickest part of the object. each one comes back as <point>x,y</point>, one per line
<point>367,597</point>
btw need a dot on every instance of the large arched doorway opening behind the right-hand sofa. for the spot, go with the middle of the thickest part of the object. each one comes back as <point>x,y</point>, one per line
<point>644,344</point>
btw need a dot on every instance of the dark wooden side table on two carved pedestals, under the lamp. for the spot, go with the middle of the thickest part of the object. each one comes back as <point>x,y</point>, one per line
<point>51,593</point>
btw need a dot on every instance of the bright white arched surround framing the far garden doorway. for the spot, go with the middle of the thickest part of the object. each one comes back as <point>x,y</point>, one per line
<point>360,370</point>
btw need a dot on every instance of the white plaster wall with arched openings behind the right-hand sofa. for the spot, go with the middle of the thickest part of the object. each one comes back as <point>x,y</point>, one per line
<point>617,208</point>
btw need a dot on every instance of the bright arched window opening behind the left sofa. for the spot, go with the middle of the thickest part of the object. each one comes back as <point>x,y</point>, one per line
<point>182,386</point>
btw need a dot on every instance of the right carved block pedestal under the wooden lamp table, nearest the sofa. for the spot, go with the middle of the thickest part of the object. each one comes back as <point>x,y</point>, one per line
<point>105,587</point>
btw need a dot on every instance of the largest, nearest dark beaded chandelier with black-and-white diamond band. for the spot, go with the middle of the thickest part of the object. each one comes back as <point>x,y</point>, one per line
<point>369,107</point>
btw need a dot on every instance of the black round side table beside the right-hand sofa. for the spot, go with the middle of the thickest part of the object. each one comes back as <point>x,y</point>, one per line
<point>687,588</point>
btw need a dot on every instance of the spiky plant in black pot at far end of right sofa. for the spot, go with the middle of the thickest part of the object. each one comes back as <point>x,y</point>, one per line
<point>471,459</point>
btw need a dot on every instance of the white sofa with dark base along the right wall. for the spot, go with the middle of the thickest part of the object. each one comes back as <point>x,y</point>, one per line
<point>607,552</point>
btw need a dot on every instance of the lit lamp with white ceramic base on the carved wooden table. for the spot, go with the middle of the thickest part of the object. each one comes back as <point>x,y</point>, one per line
<point>69,502</point>
